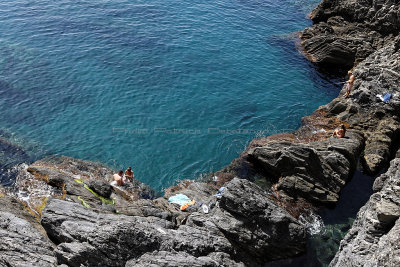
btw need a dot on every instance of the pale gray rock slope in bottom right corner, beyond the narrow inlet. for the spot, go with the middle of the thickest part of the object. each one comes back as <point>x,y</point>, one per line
<point>374,237</point>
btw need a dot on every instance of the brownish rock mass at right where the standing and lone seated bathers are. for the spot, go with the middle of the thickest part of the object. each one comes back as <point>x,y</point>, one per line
<point>309,164</point>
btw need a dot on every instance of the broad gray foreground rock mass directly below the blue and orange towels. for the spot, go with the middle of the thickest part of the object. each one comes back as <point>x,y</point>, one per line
<point>244,226</point>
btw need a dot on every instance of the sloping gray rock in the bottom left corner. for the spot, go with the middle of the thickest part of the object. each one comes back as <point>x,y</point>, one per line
<point>23,240</point>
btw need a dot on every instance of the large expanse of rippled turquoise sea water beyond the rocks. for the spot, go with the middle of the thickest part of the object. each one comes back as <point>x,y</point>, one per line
<point>173,88</point>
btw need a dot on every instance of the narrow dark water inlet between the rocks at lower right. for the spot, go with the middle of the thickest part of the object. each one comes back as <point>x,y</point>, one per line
<point>331,225</point>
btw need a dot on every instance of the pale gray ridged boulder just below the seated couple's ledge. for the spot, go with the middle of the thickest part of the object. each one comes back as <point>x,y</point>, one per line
<point>86,237</point>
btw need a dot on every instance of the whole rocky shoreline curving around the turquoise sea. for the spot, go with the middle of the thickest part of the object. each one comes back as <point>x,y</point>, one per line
<point>63,211</point>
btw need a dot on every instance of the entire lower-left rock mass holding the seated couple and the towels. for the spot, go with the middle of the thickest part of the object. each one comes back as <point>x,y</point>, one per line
<point>91,223</point>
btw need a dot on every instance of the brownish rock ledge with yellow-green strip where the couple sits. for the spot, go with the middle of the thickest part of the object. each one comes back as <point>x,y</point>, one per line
<point>83,182</point>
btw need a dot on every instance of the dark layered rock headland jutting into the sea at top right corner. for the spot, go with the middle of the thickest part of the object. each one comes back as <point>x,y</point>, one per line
<point>347,31</point>
